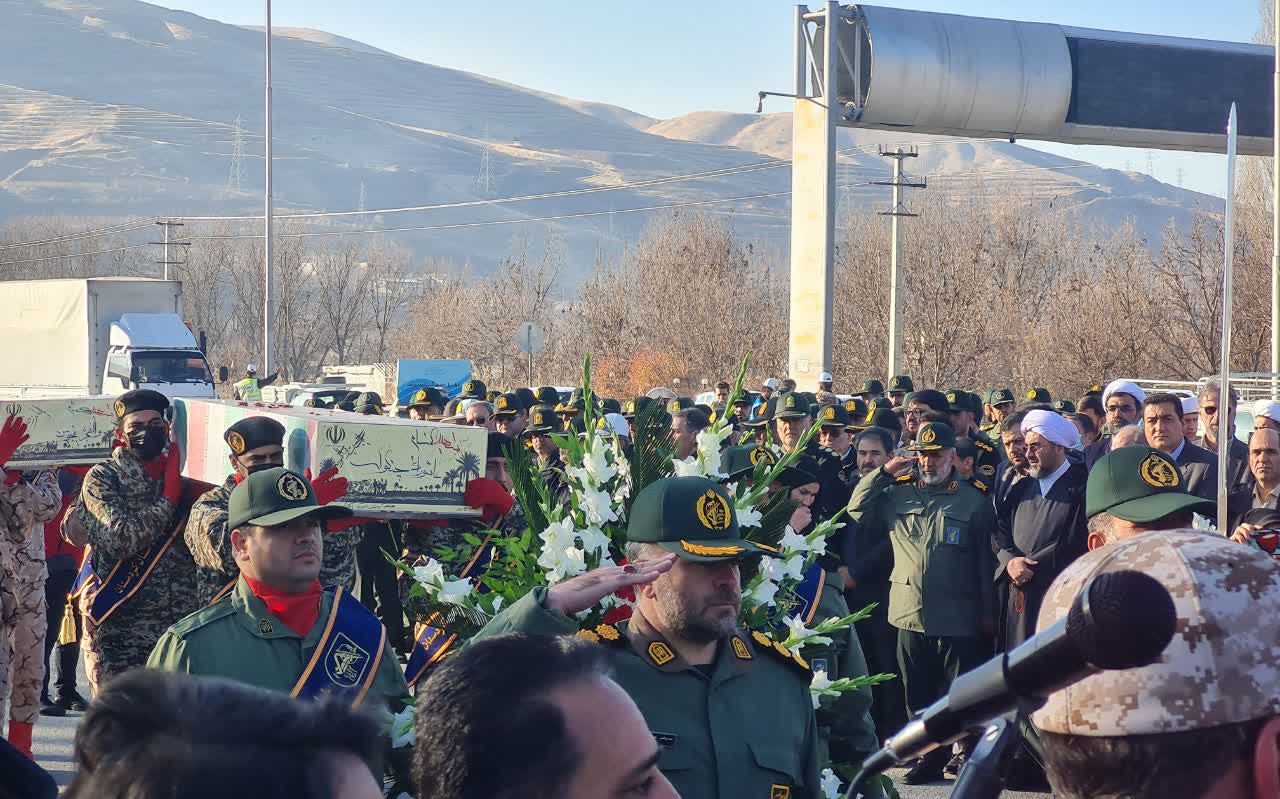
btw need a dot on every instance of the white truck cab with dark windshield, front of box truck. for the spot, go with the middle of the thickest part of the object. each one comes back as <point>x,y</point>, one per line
<point>156,351</point>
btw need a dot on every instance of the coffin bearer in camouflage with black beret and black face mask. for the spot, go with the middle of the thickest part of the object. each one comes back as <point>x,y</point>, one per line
<point>132,510</point>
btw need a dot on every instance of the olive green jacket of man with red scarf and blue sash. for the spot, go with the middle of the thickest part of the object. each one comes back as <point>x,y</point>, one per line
<point>240,640</point>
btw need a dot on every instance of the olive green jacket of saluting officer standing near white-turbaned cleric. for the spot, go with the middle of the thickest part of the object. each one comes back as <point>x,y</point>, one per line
<point>943,559</point>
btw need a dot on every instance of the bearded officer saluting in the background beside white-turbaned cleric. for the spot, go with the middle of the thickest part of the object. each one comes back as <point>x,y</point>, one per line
<point>941,595</point>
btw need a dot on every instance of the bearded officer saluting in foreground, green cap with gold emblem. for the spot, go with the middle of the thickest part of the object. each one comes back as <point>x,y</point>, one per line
<point>755,732</point>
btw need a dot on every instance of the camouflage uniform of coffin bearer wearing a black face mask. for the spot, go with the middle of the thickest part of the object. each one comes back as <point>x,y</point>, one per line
<point>125,515</point>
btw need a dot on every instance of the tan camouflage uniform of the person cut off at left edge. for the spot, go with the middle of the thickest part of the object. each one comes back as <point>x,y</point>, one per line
<point>26,508</point>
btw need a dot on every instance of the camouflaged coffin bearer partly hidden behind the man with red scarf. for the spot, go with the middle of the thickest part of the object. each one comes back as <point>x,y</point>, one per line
<point>257,444</point>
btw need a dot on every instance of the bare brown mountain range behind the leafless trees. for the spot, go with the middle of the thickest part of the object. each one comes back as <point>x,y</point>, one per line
<point>121,109</point>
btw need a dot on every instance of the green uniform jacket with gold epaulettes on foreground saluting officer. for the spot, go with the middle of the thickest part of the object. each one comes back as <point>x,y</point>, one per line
<point>747,732</point>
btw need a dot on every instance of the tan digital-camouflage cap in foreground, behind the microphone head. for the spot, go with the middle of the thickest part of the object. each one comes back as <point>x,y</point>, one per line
<point>1222,666</point>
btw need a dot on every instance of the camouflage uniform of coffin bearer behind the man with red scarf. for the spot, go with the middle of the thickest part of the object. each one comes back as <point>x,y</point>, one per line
<point>211,544</point>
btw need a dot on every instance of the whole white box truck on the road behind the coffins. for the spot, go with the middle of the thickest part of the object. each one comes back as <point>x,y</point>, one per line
<point>98,336</point>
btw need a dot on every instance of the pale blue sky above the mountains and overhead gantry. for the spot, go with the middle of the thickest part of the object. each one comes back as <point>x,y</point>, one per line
<point>665,58</point>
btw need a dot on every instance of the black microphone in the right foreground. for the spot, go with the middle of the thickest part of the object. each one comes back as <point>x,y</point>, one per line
<point>1121,620</point>
